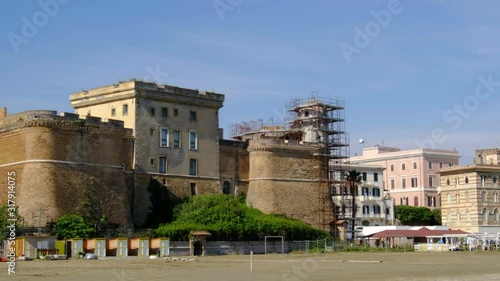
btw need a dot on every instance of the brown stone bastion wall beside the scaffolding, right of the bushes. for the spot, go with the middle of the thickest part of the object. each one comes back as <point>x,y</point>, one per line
<point>283,180</point>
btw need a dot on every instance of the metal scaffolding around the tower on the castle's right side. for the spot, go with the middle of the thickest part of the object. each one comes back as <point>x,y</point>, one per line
<point>321,122</point>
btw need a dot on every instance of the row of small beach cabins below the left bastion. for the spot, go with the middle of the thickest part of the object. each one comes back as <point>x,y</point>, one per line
<point>35,246</point>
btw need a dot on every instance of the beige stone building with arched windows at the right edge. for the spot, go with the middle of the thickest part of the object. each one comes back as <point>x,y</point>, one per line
<point>470,194</point>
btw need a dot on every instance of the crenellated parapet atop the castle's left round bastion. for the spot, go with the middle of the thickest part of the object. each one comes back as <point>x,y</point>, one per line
<point>65,120</point>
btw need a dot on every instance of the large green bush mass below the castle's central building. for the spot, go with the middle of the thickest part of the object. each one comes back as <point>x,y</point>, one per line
<point>228,218</point>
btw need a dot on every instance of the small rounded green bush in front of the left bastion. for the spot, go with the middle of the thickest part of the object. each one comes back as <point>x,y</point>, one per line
<point>72,226</point>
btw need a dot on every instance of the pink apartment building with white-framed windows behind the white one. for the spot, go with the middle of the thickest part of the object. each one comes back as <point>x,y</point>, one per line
<point>411,176</point>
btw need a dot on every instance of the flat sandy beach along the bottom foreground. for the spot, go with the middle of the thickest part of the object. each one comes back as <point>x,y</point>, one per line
<point>334,266</point>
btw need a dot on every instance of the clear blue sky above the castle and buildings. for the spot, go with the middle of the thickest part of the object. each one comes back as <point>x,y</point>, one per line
<point>402,87</point>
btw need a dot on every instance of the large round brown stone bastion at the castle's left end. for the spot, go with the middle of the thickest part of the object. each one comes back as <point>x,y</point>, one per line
<point>61,161</point>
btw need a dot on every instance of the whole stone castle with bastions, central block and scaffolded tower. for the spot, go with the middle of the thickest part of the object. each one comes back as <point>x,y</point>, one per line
<point>132,148</point>
